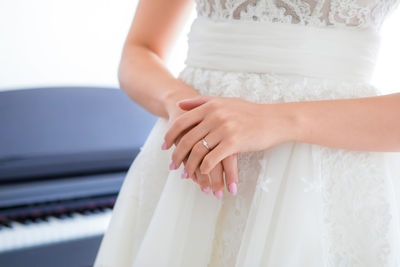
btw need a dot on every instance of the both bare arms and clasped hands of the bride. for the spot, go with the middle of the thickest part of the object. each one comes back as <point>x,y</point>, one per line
<point>368,124</point>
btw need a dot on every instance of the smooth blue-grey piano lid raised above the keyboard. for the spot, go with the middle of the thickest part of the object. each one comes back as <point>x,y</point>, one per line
<point>66,131</point>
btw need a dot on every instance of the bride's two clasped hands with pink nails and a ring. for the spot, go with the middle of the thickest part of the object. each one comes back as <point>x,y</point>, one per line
<point>229,125</point>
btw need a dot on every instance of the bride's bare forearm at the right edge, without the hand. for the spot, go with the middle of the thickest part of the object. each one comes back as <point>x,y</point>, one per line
<point>369,124</point>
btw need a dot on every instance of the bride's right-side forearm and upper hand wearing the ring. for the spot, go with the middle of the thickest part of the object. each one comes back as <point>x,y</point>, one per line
<point>365,124</point>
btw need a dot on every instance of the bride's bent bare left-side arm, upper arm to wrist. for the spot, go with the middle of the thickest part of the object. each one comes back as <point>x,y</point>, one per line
<point>142,73</point>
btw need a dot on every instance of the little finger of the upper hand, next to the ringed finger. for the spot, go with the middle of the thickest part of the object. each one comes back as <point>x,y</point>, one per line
<point>217,154</point>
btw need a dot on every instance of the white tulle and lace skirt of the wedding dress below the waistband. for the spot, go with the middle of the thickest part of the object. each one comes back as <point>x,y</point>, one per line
<point>298,204</point>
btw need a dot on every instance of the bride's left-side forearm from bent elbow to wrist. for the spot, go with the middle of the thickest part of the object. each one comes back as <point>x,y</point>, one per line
<point>145,79</point>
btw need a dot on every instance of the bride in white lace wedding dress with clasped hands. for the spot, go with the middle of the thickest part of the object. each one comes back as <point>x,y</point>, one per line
<point>287,154</point>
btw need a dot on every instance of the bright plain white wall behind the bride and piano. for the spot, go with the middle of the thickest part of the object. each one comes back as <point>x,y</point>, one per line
<point>72,42</point>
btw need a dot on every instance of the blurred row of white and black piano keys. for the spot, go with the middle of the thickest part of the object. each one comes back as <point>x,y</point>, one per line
<point>51,229</point>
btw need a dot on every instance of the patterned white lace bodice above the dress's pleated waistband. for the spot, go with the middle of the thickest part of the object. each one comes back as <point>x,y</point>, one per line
<point>322,13</point>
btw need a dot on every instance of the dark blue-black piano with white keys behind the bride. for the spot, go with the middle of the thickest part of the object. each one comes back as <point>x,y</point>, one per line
<point>64,153</point>
